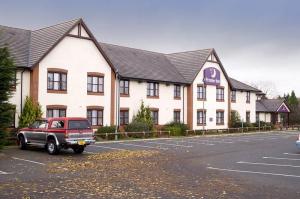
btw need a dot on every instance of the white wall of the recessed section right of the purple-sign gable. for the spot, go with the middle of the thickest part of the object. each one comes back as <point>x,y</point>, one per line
<point>242,107</point>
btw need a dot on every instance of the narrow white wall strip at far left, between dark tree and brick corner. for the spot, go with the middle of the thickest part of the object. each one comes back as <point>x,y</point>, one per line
<point>16,97</point>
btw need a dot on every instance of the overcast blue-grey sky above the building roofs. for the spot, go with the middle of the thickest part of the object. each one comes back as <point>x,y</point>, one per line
<point>258,41</point>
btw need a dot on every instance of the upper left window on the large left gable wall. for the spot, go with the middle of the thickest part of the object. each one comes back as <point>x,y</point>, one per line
<point>57,81</point>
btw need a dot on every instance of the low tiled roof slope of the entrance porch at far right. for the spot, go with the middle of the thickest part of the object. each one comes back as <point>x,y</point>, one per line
<point>268,105</point>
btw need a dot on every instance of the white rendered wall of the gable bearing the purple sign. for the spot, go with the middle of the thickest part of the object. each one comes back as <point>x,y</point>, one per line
<point>211,105</point>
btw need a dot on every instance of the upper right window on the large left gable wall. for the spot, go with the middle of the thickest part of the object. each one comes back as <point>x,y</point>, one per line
<point>95,83</point>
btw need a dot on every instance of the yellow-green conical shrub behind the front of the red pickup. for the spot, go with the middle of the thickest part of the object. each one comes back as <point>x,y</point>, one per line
<point>30,113</point>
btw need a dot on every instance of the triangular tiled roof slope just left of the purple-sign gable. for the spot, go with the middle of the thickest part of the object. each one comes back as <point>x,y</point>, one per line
<point>189,63</point>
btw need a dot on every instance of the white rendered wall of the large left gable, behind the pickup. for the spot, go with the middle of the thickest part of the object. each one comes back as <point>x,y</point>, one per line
<point>78,56</point>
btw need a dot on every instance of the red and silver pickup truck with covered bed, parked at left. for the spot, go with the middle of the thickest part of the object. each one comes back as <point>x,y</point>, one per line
<point>57,133</point>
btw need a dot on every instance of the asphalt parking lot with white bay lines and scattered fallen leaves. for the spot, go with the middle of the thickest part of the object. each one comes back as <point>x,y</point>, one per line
<point>260,165</point>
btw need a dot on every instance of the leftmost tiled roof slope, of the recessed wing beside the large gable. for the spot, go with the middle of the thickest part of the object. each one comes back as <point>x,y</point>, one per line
<point>17,41</point>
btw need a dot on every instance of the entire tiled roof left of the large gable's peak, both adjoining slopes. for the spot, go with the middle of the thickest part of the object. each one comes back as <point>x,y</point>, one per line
<point>28,47</point>
